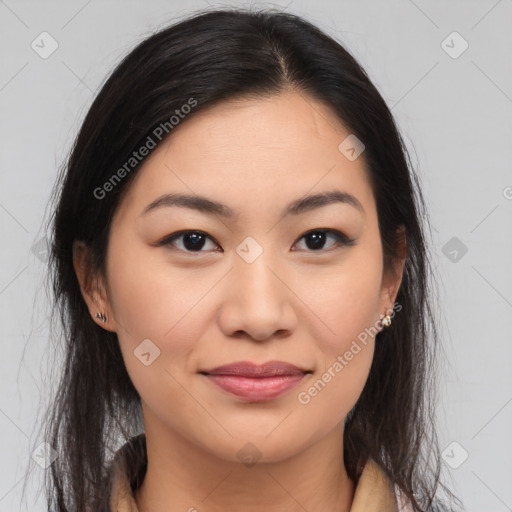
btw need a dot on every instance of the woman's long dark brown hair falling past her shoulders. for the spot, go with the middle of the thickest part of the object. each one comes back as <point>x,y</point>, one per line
<point>203,60</point>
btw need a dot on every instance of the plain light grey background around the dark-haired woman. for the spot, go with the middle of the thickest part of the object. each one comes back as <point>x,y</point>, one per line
<point>455,115</point>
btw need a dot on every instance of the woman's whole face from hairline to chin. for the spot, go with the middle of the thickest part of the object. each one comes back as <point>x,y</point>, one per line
<point>304,286</point>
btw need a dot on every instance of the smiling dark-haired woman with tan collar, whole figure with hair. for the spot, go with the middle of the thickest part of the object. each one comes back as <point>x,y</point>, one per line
<point>242,274</point>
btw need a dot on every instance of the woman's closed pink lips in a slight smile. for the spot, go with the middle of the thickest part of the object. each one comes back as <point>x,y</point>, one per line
<point>256,383</point>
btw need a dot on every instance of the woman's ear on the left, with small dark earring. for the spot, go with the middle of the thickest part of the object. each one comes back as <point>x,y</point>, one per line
<point>92,287</point>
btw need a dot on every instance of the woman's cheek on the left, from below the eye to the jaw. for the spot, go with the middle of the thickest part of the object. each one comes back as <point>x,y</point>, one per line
<point>156,311</point>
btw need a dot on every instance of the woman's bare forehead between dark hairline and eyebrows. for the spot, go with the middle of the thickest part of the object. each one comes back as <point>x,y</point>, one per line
<point>252,153</point>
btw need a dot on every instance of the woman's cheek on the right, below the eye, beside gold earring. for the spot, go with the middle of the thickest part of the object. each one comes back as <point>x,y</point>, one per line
<point>344,326</point>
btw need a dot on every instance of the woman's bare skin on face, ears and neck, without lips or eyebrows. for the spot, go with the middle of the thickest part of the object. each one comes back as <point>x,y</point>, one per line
<point>203,309</point>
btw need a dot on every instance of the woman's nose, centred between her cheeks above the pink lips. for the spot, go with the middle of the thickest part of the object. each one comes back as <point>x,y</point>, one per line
<point>257,303</point>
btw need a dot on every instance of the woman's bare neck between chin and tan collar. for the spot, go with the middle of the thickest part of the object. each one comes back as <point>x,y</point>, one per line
<point>182,476</point>
